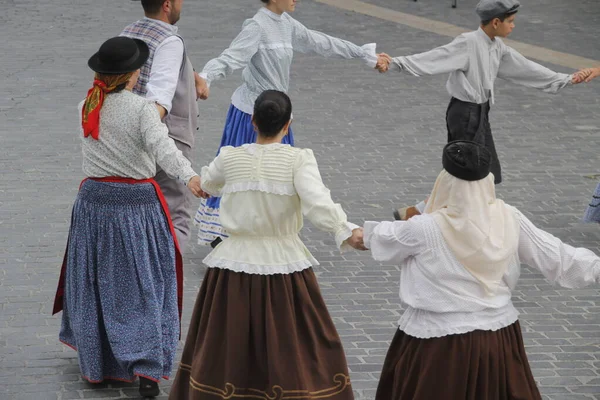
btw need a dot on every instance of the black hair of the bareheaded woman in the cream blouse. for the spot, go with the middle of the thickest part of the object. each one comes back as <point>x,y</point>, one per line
<point>272,110</point>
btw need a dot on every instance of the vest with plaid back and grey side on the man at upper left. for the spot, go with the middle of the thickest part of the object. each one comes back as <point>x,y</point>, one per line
<point>182,121</point>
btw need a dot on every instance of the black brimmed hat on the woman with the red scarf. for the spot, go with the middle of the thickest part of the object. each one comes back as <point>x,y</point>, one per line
<point>119,55</point>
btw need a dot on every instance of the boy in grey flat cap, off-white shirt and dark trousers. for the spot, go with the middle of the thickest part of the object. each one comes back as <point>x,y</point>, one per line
<point>474,60</point>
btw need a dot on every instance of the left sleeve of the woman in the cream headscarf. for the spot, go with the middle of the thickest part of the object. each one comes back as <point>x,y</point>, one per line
<point>391,241</point>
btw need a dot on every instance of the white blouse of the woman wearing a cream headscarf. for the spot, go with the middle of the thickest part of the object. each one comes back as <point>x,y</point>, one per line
<point>443,298</point>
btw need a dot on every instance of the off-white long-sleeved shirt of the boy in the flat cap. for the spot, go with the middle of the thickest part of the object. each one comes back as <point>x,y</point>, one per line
<point>473,61</point>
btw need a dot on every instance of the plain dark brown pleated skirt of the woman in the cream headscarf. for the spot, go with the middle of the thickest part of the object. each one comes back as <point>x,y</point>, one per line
<point>479,365</point>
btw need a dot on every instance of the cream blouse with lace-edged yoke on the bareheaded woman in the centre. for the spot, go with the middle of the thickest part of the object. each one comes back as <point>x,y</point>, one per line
<point>265,191</point>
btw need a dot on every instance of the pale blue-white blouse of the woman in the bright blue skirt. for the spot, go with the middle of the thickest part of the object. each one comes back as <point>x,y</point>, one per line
<point>265,48</point>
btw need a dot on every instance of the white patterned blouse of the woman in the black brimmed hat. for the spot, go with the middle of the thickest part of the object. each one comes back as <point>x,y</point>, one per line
<point>132,141</point>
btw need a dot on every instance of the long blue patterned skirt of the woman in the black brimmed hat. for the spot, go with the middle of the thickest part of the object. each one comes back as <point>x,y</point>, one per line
<point>120,304</point>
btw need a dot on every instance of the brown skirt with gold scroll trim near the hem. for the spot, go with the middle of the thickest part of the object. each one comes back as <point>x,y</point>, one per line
<point>261,337</point>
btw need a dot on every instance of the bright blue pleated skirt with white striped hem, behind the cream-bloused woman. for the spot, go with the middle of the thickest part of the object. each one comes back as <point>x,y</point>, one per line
<point>238,131</point>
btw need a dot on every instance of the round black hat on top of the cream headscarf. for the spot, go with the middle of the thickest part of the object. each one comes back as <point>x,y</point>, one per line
<point>467,160</point>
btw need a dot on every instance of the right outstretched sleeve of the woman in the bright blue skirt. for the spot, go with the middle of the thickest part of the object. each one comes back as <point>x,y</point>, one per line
<point>305,40</point>
